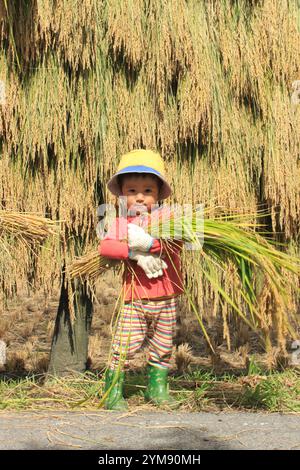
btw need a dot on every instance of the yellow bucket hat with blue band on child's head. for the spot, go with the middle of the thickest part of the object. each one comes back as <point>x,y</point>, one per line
<point>141,161</point>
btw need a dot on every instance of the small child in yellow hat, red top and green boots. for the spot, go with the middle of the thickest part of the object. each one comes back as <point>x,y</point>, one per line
<point>152,279</point>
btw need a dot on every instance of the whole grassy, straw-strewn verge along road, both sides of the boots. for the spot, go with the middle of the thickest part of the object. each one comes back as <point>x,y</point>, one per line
<point>196,390</point>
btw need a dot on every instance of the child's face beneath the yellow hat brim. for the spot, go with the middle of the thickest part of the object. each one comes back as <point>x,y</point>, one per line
<point>140,191</point>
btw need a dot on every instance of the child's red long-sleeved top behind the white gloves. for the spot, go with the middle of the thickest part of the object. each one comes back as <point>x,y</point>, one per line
<point>136,284</point>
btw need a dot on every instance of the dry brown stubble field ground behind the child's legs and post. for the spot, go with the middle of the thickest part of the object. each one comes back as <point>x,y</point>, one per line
<point>27,323</point>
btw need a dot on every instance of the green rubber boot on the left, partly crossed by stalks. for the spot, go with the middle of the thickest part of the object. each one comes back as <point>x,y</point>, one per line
<point>114,382</point>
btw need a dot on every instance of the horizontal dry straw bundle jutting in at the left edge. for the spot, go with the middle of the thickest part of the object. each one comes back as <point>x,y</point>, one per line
<point>26,227</point>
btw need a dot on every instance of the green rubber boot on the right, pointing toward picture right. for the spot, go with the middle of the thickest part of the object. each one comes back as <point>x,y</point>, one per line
<point>157,391</point>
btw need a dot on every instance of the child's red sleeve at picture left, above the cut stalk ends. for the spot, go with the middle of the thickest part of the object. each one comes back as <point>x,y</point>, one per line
<point>114,244</point>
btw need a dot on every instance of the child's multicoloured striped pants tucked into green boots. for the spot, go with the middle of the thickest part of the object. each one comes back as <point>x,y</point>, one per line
<point>145,323</point>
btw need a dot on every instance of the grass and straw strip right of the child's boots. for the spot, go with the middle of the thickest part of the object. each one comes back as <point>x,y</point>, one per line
<point>257,390</point>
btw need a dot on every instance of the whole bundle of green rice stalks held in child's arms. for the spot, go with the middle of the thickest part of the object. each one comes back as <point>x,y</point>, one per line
<point>228,240</point>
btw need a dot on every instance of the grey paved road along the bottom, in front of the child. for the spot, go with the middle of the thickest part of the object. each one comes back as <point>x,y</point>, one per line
<point>144,430</point>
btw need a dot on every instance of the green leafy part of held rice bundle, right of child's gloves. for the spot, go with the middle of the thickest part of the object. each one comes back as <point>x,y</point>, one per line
<point>231,241</point>
